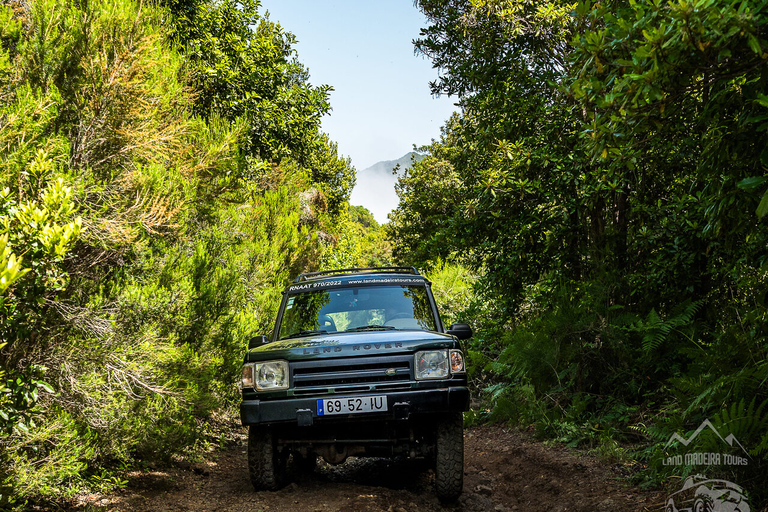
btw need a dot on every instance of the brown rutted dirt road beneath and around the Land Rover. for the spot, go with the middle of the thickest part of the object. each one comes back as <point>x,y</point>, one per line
<point>505,471</point>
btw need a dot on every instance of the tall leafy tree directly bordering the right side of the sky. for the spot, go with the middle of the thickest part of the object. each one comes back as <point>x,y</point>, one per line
<point>511,185</point>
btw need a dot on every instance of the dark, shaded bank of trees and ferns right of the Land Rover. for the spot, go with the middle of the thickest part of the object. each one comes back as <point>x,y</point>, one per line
<point>606,181</point>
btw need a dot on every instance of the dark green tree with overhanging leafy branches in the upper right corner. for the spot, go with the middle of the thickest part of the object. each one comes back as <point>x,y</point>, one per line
<point>672,97</point>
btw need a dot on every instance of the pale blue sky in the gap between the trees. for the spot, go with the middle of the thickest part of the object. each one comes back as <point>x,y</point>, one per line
<point>381,101</point>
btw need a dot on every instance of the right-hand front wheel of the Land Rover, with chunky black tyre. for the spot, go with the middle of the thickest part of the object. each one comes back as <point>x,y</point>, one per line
<point>449,458</point>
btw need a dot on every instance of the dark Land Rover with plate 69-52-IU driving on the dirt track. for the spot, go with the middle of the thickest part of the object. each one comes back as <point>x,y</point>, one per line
<point>359,364</point>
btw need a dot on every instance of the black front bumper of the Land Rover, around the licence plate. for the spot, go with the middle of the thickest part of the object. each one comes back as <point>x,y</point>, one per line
<point>400,405</point>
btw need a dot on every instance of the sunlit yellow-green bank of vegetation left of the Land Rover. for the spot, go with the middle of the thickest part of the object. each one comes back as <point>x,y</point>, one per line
<point>162,175</point>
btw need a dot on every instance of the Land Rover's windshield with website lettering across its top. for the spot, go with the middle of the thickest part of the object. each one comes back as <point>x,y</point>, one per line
<point>357,309</point>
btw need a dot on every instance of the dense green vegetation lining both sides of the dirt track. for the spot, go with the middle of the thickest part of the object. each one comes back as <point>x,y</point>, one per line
<point>597,210</point>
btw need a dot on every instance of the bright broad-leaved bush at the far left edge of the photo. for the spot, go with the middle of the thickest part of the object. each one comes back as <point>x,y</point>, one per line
<point>39,225</point>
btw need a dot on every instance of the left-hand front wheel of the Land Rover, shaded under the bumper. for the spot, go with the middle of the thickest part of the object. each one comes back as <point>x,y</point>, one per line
<point>265,464</point>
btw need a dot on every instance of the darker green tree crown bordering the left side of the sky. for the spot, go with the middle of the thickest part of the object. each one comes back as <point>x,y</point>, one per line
<point>243,66</point>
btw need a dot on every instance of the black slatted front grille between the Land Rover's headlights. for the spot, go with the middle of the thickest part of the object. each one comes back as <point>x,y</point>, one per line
<point>351,375</point>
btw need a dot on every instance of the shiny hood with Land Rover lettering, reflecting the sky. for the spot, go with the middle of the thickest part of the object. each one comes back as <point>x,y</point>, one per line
<point>336,345</point>
